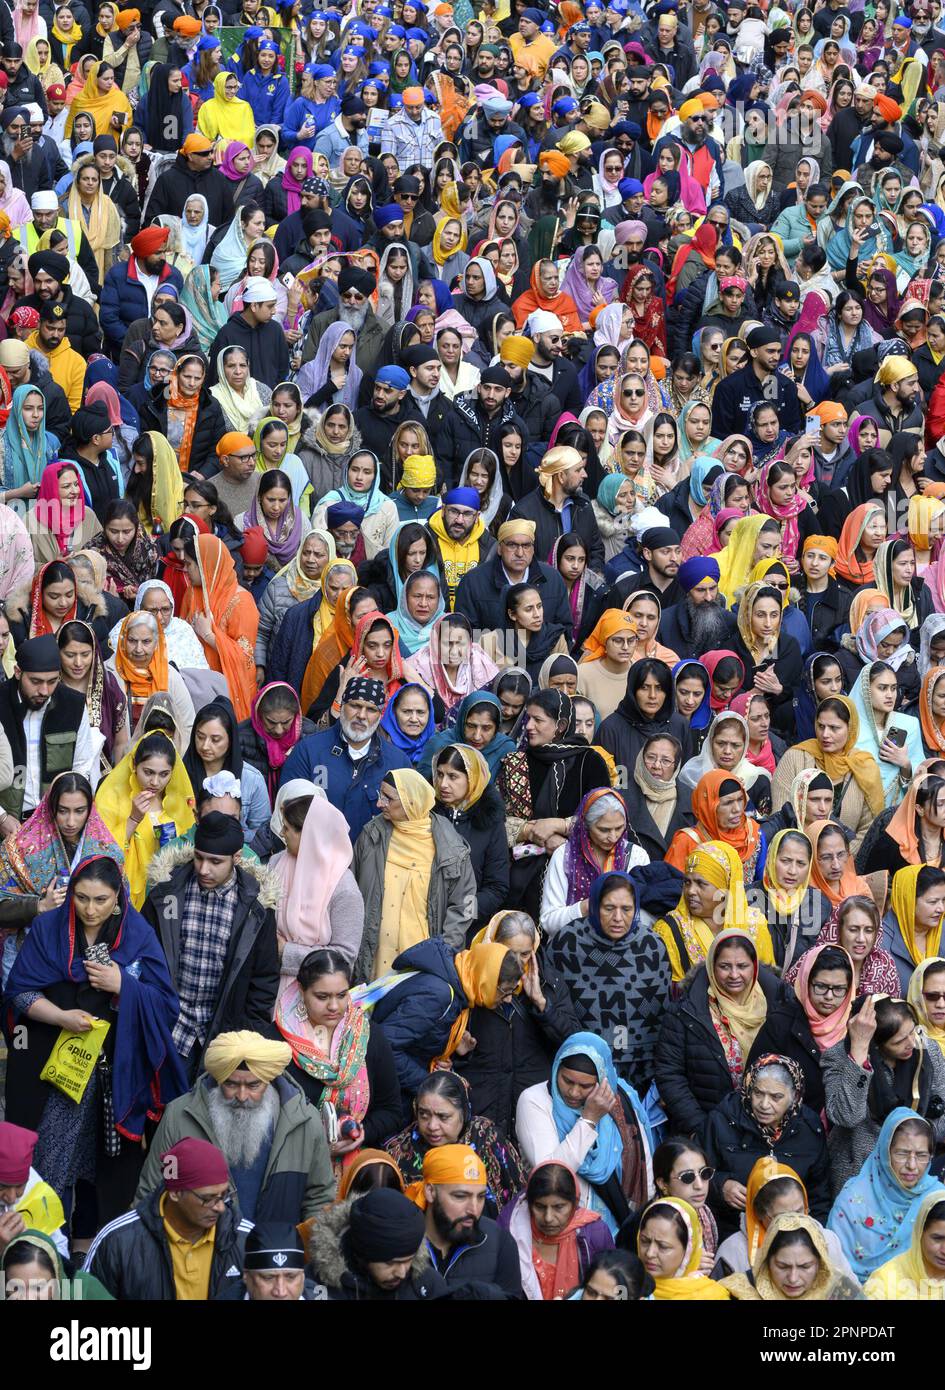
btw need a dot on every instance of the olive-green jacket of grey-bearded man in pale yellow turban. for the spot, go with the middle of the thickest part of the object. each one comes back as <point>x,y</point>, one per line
<point>298,1179</point>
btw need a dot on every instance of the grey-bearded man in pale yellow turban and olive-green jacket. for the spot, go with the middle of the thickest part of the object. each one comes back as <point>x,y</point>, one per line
<point>273,1140</point>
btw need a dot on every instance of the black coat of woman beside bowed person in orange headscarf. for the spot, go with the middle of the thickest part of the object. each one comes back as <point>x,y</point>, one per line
<point>515,1049</point>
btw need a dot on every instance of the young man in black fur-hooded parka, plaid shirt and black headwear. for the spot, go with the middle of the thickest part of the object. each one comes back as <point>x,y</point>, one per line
<point>202,894</point>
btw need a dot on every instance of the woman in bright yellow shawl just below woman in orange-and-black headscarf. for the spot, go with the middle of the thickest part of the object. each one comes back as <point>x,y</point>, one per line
<point>714,899</point>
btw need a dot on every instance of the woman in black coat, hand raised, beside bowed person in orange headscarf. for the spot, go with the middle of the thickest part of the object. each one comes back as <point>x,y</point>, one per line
<point>516,1042</point>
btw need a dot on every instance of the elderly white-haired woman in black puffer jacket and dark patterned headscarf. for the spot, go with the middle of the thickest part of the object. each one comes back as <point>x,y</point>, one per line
<point>766,1118</point>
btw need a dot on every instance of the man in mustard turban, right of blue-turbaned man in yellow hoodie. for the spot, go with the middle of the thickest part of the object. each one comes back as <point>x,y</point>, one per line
<point>512,562</point>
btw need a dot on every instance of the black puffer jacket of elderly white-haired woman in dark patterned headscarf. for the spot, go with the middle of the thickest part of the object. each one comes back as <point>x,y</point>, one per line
<point>734,1143</point>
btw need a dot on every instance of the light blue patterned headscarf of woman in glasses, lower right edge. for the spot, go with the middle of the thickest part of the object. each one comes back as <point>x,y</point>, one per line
<point>875,1214</point>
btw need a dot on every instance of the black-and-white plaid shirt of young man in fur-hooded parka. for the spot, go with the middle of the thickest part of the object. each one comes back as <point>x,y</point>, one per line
<point>206,922</point>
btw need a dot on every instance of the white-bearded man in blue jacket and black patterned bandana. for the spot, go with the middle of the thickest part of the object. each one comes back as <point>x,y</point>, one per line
<point>350,761</point>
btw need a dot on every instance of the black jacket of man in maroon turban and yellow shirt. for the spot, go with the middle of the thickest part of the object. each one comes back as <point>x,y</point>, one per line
<point>133,1259</point>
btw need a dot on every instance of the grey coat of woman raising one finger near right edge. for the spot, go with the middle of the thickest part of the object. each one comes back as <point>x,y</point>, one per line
<point>854,1131</point>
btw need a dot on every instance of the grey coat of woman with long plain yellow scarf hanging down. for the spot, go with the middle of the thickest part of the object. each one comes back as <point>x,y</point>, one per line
<point>451,904</point>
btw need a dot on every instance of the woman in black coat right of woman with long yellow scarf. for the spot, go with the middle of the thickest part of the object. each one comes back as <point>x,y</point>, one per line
<point>475,808</point>
